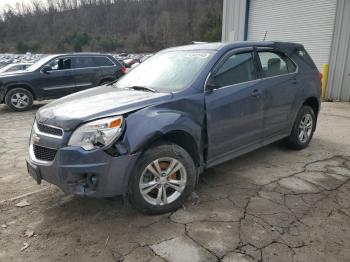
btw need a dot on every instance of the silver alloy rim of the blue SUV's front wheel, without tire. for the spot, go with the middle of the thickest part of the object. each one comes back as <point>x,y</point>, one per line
<point>163,181</point>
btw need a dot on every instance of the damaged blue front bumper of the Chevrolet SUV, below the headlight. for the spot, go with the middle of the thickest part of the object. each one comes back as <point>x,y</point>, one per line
<point>73,168</point>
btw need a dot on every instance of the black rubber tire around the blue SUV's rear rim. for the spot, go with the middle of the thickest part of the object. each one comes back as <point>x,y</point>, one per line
<point>294,141</point>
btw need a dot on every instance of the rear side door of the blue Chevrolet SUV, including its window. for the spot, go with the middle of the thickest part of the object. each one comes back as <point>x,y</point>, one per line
<point>279,82</point>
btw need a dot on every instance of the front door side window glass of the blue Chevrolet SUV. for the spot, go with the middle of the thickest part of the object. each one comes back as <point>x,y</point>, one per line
<point>236,69</point>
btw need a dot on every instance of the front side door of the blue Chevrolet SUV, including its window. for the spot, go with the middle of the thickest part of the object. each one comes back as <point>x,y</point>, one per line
<point>234,107</point>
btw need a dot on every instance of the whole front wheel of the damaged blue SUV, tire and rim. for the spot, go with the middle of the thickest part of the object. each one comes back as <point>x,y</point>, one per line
<point>153,202</point>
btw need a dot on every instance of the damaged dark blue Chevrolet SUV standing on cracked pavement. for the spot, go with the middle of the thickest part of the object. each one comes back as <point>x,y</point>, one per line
<point>151,134</point>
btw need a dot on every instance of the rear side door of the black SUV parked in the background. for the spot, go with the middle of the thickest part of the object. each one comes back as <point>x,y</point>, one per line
<point>86,73</point>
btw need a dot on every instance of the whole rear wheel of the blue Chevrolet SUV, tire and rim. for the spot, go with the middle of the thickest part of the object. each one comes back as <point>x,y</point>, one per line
<point>305,124</point>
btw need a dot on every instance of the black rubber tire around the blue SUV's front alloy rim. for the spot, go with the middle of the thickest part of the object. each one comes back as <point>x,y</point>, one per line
<point>161,151</point>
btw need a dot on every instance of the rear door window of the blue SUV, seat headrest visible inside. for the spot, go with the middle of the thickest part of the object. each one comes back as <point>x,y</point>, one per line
<point>274,64</point>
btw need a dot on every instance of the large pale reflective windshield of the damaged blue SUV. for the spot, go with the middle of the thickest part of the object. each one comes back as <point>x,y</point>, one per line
<point>167,72</point>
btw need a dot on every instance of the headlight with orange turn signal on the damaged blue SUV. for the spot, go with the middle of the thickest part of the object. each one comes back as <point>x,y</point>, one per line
<point>97,134</point>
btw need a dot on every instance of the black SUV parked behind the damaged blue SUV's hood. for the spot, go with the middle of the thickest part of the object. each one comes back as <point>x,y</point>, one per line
<point>57,76</point>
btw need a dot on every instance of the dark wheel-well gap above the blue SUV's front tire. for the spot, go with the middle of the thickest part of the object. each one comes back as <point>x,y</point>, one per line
<point>182,139</point>
